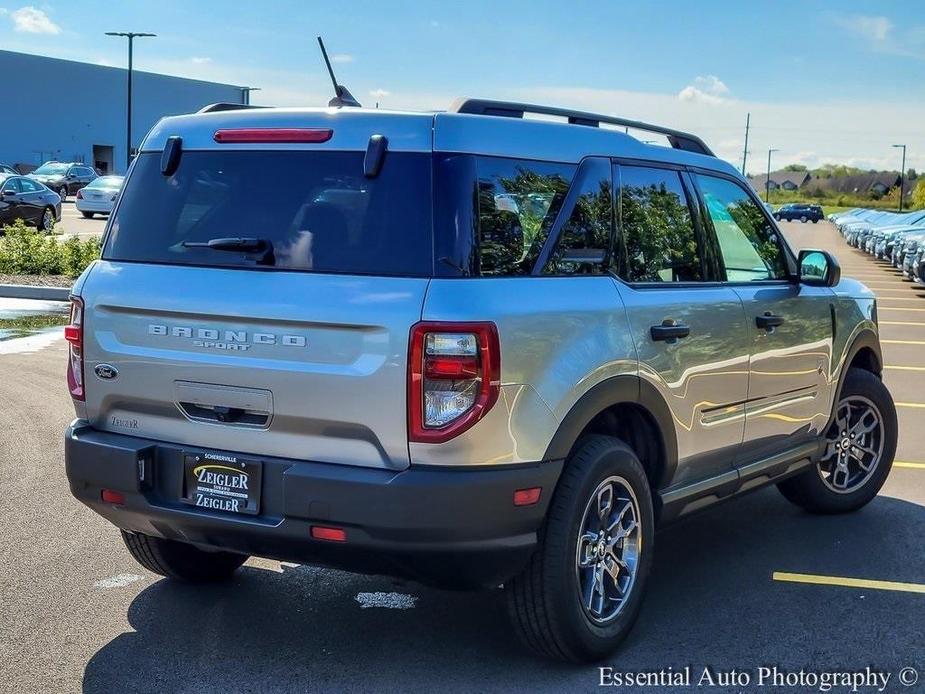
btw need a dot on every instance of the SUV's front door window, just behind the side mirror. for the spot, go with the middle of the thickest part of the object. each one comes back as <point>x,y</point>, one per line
<point>748,244</point>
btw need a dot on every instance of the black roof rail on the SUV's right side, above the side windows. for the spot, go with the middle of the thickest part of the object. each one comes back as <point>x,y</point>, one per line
<point>512,109</point>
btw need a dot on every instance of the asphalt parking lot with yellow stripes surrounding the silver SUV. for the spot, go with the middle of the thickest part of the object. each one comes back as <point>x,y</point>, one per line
<point>79,614</point>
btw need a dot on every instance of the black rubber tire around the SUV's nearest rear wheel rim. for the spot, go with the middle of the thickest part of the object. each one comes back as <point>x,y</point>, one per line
<point>544,601</point>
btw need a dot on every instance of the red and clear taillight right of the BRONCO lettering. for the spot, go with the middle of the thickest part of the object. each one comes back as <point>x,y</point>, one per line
<point>454,378</point>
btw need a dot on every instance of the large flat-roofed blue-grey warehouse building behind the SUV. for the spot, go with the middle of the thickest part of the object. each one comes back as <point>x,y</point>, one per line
<point>70,111</point>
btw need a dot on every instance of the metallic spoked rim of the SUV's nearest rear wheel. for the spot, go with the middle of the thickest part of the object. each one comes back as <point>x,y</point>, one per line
<point>608,550</point>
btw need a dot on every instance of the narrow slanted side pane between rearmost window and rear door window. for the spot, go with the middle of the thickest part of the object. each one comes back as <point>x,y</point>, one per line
<point>584,240</point>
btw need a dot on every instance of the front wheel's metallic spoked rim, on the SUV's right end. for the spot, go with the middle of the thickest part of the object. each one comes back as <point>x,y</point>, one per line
<point>854,446</point>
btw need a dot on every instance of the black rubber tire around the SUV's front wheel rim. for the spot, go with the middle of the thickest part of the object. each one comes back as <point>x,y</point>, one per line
<point>809,491</point>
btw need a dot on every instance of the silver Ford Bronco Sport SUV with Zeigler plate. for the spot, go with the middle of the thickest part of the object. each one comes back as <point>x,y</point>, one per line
<point>468,347</point>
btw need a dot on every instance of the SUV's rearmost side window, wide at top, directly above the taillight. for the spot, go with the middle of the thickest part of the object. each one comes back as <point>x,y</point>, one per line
<point>518,201</point>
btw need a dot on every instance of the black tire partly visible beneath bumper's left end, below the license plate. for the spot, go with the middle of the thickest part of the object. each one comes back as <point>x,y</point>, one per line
<point>180,560</point>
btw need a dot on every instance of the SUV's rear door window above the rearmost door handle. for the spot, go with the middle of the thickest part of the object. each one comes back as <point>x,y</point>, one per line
<point>657,242</point>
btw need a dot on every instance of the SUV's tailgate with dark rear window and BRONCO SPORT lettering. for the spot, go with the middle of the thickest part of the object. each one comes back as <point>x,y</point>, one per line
<point>257,296</point>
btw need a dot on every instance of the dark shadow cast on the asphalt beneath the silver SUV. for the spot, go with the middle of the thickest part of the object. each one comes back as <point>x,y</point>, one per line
<point>711,602</point>
